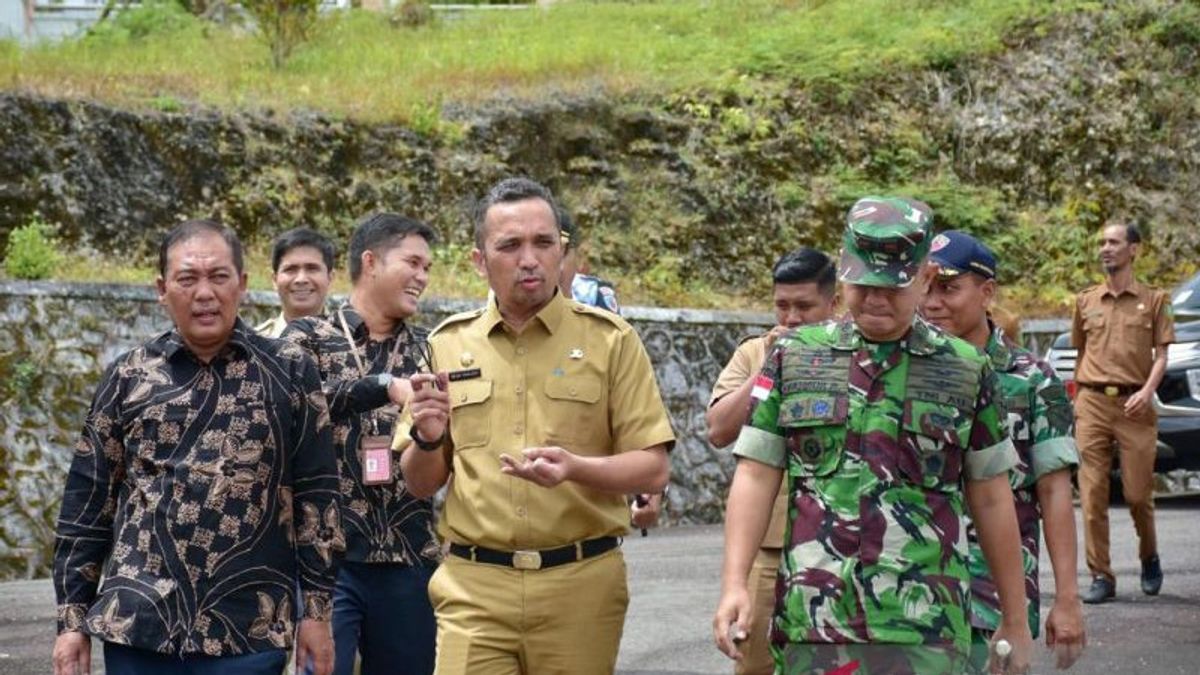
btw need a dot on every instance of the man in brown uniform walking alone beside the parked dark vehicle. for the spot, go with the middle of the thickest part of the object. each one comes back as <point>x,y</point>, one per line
<point>1121,330</point>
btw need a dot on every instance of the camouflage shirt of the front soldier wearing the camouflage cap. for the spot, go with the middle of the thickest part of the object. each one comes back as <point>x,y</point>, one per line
<point>879,439</point>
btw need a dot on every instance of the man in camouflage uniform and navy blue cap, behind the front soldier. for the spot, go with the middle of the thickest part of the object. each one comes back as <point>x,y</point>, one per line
<point>1040,422</point>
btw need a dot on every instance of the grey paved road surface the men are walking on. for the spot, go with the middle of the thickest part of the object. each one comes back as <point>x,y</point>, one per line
<point>674,583</point>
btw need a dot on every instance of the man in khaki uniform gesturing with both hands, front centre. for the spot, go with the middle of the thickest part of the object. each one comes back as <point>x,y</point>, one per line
<point>550,417</point>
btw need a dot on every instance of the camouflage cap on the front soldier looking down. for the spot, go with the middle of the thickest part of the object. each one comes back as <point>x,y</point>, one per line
<point>886,241</point>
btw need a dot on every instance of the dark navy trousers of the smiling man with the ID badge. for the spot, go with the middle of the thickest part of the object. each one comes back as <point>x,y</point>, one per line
<point>383,613</point>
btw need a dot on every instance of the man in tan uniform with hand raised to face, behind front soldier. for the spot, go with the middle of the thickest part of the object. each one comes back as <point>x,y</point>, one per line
<point>805,291</point>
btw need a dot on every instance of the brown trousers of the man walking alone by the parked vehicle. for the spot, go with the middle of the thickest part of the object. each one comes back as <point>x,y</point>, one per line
<point>1100,421</point>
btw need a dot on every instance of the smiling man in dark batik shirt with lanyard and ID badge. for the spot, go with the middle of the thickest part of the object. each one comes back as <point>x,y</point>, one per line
<point>367,351</point>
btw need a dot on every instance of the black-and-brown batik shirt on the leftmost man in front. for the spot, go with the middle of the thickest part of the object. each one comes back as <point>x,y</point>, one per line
<point>202,494</point>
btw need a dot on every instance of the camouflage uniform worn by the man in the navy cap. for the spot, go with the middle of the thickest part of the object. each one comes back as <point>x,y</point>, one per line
<point>1041,425</point>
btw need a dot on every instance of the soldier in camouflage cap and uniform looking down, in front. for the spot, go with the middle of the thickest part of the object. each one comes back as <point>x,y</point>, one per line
<point>877,420</point>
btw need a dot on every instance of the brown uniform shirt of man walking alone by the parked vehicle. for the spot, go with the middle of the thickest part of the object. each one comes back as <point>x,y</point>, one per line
<point>1117,334</point>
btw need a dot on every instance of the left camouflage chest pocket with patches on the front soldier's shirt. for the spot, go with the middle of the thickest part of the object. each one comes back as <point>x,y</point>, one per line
<point>814,429</point>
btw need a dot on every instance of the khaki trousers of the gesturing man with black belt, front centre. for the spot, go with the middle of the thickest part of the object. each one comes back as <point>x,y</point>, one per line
<point>496,620</point>
